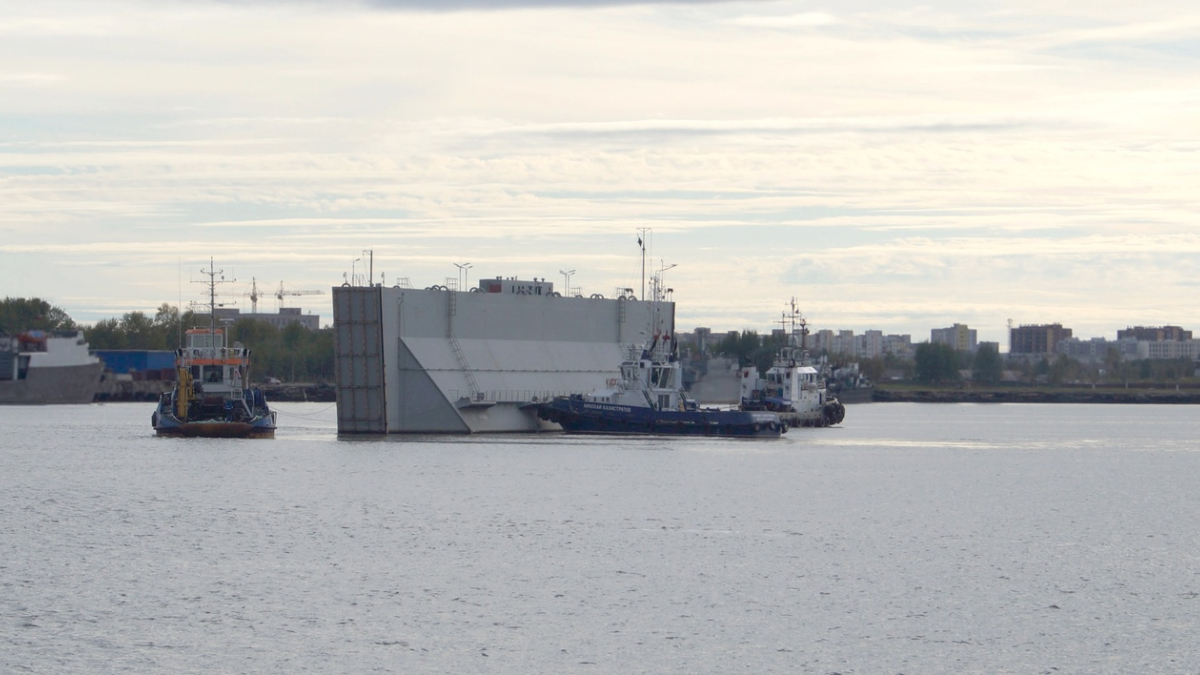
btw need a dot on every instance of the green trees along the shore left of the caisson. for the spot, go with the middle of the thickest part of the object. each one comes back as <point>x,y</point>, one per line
<point>291,355</point>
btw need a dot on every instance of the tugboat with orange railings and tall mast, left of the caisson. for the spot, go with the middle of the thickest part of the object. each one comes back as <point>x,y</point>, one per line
<point>212,398</point>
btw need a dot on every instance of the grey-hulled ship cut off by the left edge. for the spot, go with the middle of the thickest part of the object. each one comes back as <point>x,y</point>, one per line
<point>47,368</point>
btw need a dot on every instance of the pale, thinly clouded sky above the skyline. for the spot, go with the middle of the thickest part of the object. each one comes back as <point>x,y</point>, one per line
<point>891,166</point>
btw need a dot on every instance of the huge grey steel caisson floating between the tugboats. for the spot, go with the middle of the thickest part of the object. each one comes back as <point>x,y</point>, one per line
<point>439,361</point>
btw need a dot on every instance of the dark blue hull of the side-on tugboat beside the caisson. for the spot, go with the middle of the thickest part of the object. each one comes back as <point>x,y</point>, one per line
<point>577,416</point>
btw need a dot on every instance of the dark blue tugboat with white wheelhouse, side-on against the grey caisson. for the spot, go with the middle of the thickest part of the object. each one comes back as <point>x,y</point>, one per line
<point>649,399</point>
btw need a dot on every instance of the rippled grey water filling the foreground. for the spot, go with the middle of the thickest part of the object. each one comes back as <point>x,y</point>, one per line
<point>950,539</point>
